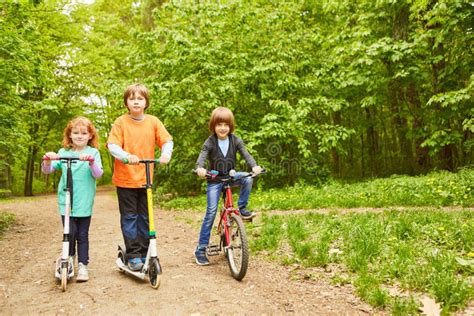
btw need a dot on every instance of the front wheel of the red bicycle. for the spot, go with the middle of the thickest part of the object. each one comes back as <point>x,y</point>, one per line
<point>237,248</point>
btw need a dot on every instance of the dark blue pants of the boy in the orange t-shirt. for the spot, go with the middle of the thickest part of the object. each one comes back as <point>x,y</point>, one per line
<point>134,221</point>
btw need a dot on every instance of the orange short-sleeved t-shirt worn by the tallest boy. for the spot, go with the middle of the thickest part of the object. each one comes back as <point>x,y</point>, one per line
<point>137,138</point>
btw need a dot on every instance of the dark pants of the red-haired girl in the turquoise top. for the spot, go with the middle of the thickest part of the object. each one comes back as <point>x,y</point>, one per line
<point>79,237</point>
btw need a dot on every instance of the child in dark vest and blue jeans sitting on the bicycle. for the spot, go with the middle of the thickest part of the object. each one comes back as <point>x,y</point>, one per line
<point>221,149</point>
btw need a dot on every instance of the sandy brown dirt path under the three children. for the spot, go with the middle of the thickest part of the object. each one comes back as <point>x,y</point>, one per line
<point>29,248</point>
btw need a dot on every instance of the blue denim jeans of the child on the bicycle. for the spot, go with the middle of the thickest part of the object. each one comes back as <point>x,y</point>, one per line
<point>214,190</point>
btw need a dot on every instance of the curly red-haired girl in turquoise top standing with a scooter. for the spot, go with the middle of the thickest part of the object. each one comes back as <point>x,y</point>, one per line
<point>80,140</point>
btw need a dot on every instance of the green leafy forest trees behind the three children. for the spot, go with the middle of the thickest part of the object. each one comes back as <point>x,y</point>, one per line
<point>348,89</point>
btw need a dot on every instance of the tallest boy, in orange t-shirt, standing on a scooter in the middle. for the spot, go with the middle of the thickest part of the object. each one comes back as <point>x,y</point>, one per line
<point>133,137</point>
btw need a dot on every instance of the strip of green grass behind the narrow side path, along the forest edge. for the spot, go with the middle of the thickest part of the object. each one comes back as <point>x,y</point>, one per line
<point>435,189</point>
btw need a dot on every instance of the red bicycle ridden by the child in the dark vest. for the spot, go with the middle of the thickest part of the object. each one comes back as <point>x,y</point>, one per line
<point>231,229</point>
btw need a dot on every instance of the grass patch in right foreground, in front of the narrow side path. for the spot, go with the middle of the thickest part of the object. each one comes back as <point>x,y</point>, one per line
<point>418,251</point>
